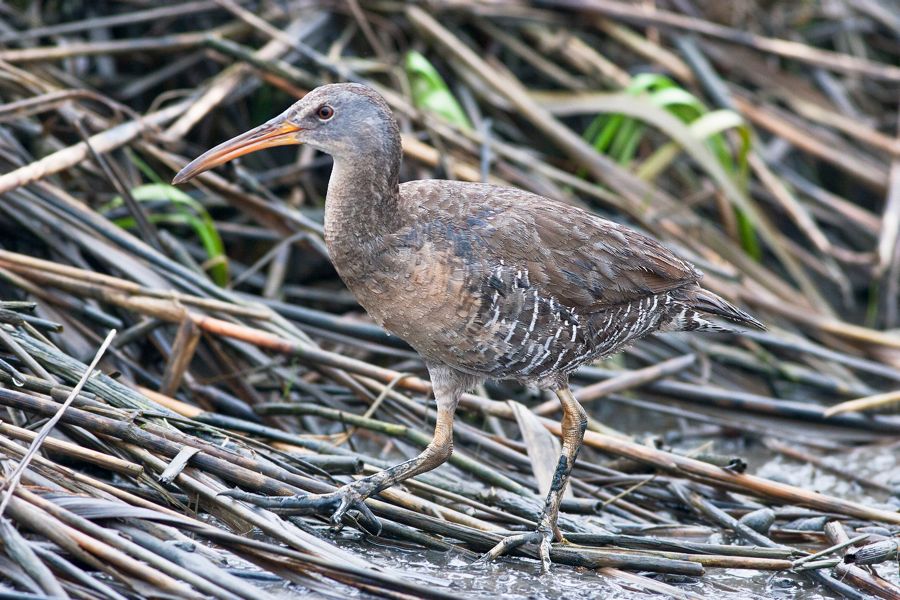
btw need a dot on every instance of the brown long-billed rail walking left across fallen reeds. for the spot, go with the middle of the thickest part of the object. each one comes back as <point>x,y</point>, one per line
<point>483,281</point>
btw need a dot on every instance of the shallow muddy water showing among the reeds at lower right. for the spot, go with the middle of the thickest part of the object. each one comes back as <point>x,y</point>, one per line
<point>519,578</point>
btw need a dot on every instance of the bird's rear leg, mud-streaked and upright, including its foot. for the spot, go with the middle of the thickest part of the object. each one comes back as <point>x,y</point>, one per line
<point>574,423</point>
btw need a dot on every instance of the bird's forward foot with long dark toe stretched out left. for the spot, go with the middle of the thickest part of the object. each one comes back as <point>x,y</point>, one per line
<point>338,503</point>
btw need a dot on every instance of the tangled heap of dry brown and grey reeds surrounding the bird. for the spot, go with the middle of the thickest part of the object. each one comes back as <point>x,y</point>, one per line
<point>759,141</point>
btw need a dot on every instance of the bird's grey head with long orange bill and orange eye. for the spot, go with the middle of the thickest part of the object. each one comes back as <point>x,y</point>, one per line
<point>344,120</point>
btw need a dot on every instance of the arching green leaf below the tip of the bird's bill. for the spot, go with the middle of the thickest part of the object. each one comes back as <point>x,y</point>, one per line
<point>184,211</point>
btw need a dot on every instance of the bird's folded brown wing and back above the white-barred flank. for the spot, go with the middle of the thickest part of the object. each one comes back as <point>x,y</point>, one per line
<point>585,262</point>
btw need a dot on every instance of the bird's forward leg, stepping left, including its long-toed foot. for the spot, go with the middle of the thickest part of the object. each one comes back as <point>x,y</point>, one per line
<point>353,495</point>
